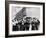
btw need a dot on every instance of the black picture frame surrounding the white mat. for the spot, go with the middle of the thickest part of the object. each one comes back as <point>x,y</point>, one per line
<point>7,18</point>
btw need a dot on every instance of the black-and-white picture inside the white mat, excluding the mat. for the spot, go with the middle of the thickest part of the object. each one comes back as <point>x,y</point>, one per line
<point>25,18</point>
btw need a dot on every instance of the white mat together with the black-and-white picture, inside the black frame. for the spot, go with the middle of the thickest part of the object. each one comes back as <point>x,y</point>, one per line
<point>25,19</point>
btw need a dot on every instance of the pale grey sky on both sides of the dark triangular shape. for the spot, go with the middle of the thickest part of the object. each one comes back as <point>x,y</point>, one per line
<point>31,11</point>
